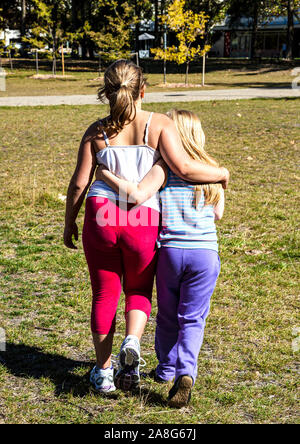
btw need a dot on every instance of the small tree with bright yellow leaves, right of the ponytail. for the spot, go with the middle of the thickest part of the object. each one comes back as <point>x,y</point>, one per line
<point>189,27</point>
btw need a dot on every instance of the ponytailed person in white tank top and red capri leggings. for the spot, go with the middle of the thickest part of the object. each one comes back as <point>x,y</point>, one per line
<point>120,240</point>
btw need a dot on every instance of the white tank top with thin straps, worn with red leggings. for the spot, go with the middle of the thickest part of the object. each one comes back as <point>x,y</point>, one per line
<point>130,162</point>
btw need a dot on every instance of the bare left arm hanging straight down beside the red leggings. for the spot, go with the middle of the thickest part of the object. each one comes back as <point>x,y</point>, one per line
<point>79,184</point>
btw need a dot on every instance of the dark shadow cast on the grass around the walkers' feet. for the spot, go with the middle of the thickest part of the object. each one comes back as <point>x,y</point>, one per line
<point>24,361</point>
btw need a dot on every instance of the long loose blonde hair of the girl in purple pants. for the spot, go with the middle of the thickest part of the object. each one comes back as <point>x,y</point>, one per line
<point>192,136</point>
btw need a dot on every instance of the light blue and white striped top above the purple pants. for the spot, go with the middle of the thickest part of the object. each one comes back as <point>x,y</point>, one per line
<point>184,226</point>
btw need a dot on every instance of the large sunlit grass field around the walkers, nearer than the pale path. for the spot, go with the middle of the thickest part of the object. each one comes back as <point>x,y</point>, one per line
<point>248,370</point>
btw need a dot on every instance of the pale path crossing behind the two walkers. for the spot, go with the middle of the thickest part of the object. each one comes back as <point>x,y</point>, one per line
<point>158,97</point>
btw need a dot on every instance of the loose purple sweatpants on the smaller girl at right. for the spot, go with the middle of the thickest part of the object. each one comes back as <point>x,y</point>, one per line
<point>185,282</point>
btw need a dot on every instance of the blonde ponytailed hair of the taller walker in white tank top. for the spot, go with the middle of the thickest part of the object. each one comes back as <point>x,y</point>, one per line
<point>123,81</point>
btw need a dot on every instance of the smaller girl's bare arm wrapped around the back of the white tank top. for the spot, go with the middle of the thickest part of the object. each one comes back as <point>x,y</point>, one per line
<point>136,193</point>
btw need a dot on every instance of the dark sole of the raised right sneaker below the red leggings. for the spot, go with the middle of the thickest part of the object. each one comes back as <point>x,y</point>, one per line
<point>129,359</point>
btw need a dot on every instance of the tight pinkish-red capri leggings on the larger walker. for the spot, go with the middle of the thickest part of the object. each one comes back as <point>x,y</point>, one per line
<point>119,243</point>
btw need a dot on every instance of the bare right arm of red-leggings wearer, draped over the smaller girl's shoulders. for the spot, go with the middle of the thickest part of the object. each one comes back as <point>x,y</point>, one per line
<point>182,165</point>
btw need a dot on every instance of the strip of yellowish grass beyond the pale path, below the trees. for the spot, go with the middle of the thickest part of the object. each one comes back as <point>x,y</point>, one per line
<point>20,83</point>
